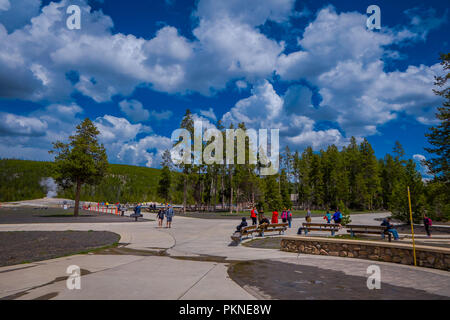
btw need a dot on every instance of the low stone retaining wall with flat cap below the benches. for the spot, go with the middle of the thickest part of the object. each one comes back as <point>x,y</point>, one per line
<point>432,257</point>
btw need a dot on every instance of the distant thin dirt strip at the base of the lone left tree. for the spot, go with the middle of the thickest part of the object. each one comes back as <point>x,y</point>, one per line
<point>57,215</point>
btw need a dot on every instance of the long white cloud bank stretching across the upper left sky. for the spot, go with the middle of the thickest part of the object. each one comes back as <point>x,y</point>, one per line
<point>227,46</point>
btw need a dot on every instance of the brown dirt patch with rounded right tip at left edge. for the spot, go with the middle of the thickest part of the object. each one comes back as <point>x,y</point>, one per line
<point>28,246</point>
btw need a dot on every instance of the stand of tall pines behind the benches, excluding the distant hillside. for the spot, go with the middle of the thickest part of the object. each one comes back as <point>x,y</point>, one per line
<point>351,178</point>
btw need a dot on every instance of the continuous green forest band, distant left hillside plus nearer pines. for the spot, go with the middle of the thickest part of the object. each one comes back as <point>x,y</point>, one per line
<point>350,178</point>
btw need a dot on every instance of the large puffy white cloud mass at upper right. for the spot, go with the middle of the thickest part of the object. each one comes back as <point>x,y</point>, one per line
<point>344,61</point>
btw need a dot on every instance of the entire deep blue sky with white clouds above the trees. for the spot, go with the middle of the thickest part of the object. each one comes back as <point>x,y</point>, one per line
<point>309,68</point>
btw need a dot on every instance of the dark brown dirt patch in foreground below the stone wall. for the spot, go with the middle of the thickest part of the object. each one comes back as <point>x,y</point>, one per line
<point>287,281</point>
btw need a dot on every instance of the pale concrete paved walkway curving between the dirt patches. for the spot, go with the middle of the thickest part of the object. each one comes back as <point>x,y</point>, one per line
<point>194,268</point>
